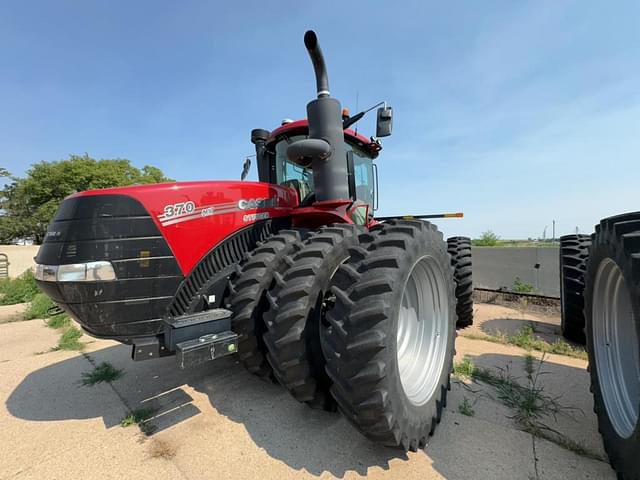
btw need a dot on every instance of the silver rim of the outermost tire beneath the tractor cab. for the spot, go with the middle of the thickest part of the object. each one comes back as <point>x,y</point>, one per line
<point>423,330</point>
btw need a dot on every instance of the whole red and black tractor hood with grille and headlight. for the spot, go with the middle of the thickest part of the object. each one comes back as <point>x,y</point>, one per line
<point>120,260</point>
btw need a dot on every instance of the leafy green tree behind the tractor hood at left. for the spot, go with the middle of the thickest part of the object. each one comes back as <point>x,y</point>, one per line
<point>28,204</point>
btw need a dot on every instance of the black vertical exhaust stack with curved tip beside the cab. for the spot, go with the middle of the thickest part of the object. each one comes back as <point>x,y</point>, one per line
<point>324,149</point>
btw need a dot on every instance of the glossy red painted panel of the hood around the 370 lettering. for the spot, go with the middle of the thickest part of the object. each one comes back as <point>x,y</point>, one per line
<point>191,240</point>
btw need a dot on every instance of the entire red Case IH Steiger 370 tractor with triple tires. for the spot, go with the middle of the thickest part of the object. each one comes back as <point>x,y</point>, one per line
<point>293,272</point>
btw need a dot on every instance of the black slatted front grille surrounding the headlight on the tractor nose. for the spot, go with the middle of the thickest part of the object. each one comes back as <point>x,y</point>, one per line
<point>115,228</point>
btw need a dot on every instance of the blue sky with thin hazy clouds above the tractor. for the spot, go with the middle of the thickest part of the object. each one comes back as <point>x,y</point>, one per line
<point>515,113</point>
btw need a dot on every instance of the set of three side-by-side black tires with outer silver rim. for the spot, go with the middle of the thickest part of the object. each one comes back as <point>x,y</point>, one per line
<point>362,321</point>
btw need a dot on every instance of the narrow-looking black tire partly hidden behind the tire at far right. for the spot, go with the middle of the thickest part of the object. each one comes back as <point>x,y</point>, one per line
<point>574,253</point>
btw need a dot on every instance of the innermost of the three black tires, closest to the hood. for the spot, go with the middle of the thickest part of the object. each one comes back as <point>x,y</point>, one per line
<point>249,296</point>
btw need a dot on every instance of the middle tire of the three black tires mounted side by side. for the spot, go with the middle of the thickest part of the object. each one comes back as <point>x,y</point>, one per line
<point>298,302</point>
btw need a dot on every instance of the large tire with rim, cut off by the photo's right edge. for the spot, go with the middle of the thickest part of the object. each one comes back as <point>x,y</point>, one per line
<point>612,310</point>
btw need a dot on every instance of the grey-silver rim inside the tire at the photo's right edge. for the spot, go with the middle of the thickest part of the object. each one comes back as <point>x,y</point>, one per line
<point>615,343</point>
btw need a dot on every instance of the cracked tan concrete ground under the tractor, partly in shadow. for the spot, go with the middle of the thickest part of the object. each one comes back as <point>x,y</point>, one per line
<point>218,421</point>
